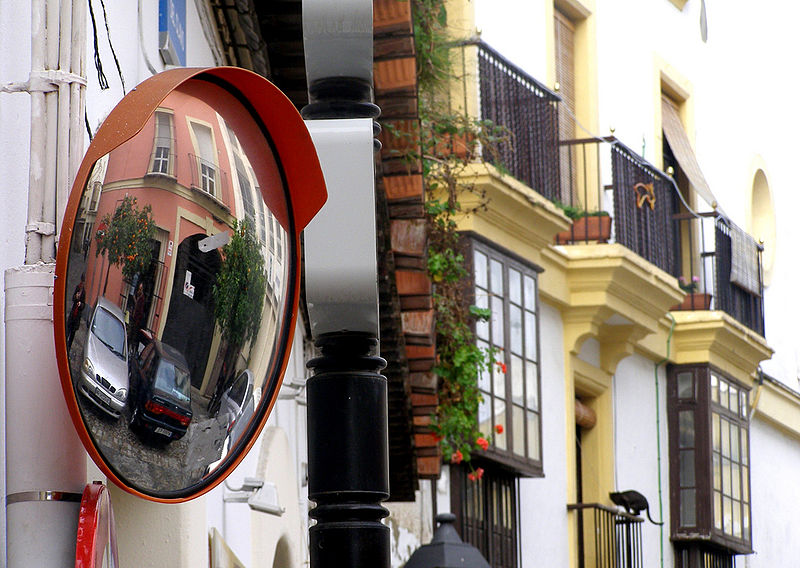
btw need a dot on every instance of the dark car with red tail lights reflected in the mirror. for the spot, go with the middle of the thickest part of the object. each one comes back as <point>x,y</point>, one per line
<point>162,384</point>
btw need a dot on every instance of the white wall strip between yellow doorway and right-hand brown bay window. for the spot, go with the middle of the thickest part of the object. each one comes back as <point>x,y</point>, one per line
<point>636,435</point>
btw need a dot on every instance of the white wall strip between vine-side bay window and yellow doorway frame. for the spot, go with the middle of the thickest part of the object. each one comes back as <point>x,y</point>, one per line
<point>543,511</point>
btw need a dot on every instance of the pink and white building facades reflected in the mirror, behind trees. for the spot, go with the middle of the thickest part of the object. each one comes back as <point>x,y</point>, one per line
<point>189,166</point>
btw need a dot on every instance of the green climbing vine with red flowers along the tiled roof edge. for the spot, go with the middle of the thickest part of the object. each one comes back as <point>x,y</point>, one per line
<point>450,142</point>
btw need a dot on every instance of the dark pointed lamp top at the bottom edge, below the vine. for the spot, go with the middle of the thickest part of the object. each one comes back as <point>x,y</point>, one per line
<point>447,550</point>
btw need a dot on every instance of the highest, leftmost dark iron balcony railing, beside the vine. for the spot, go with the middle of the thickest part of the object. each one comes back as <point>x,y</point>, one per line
<point>528,110</point>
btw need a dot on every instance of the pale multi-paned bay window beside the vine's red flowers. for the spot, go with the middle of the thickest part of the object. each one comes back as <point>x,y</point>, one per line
<point>510,389</point>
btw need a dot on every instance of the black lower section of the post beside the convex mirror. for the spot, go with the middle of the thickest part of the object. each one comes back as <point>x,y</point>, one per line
<point>348,453</point>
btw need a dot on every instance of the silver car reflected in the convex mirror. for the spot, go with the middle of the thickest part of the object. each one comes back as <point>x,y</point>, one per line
<point>104,373</point>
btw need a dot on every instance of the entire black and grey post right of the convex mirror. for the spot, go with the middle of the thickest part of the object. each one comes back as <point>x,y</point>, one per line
<point>347,397</point>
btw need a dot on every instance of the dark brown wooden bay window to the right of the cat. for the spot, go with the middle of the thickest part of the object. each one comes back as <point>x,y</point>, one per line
<point>709,457</point>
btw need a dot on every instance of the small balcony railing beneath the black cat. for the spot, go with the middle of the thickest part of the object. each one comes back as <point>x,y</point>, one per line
<point>607,537</point>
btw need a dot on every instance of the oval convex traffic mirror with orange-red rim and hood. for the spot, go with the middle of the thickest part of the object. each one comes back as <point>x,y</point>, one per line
<point>178,276</point>
